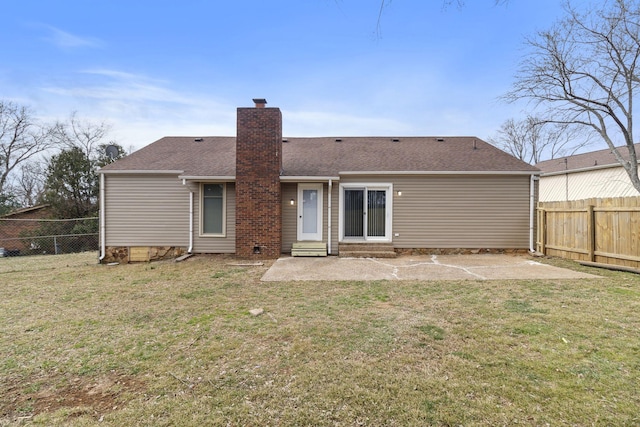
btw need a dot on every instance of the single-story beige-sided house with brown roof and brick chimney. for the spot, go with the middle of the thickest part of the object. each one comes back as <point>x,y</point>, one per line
<point>258,195</point>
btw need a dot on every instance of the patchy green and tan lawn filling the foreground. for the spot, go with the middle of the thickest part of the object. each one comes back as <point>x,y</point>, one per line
<point>173,344</point>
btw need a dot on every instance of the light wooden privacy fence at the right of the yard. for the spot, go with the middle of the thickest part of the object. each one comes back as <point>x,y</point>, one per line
<point>596,230</point>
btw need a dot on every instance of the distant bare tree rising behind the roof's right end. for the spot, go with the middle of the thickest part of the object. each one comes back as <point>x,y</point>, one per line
<point>533,140</point>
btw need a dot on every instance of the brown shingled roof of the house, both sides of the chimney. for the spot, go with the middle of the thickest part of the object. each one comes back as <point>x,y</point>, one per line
<point>327,156</point>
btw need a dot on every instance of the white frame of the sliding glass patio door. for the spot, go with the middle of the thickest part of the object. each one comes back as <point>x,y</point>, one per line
<point>388,188</point>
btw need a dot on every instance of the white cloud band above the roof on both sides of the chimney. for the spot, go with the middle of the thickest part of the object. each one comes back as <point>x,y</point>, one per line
<point>143,109</point>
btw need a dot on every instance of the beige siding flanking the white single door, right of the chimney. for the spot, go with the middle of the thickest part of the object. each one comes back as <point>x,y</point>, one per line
<point>290,216</point>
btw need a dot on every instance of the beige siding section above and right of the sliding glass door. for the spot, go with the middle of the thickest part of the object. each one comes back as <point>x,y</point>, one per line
<point>465,211</point>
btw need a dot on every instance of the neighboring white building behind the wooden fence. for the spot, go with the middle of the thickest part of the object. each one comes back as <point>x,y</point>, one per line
<point>583,176</point>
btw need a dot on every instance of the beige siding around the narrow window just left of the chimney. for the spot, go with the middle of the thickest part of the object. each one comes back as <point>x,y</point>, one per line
<point>211,244</point>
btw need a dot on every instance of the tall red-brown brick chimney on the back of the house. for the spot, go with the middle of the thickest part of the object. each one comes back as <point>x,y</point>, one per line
<point>258,196</point>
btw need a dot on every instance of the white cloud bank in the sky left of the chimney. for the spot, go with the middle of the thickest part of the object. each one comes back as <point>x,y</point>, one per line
<point>142,109</point>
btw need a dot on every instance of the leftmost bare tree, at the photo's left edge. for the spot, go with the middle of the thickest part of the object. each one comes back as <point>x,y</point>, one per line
<point>21,138</point>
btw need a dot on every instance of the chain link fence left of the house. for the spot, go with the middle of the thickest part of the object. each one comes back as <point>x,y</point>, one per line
<point>47,236</point>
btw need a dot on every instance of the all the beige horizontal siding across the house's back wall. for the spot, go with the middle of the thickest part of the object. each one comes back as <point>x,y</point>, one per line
<point>466,211</point>
